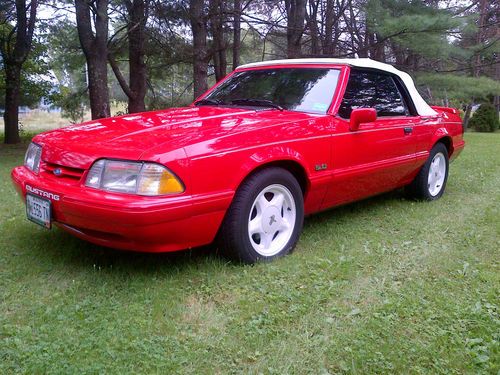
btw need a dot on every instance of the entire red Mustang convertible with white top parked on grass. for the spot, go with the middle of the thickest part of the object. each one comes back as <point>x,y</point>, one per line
<point>270,143</point>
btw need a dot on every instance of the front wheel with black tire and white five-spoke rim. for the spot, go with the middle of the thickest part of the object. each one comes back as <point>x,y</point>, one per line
<point>265,219</point>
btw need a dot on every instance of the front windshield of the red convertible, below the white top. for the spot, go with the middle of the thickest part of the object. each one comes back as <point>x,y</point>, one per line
<point>296,89</point>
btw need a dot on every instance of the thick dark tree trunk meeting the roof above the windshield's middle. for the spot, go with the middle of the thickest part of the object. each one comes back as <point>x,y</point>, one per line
<point>296,14</point>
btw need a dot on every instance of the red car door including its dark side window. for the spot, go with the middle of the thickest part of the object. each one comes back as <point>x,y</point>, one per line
<point>380,155</point>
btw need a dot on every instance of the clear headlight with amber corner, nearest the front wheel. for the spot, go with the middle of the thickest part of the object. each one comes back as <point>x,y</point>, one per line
<point>133,178</point>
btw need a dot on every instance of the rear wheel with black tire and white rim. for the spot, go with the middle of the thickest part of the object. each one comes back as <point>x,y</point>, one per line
<point>430,182</point>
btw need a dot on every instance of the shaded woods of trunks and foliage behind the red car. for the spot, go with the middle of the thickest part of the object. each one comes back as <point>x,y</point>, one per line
<point>84,58</point>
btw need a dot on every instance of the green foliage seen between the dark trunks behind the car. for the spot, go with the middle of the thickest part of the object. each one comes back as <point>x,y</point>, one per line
<point>414,35</point>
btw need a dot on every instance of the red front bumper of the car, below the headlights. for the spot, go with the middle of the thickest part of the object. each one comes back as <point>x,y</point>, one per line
<point>130,222</point>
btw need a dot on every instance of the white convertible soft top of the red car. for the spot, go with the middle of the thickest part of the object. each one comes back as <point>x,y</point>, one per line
<point>421,106</point>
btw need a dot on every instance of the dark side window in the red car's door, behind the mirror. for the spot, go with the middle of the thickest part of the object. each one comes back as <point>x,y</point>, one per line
<point>369,89</point>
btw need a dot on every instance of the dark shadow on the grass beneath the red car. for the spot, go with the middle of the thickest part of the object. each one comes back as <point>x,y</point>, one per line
<point>62,249</point>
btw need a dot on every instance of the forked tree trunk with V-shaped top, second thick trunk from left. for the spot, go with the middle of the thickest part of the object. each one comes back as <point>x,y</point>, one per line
<point>95,49</point>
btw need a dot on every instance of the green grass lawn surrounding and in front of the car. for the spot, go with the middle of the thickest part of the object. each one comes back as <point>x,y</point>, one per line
<point>385,285</point>
